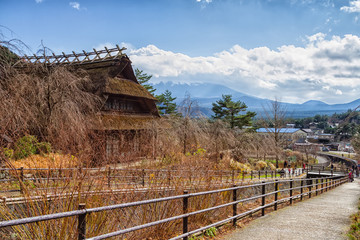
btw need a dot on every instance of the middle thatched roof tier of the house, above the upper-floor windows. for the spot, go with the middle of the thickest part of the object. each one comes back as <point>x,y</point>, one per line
<point>127,87</point>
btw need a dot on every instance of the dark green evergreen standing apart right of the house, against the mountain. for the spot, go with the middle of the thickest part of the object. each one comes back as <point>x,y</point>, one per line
<point>229,111</point>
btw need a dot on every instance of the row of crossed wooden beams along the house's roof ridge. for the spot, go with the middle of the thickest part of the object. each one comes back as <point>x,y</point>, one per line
<point>74,58</point>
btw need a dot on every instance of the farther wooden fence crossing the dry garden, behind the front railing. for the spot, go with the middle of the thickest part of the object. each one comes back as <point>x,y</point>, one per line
<point>12,180</point>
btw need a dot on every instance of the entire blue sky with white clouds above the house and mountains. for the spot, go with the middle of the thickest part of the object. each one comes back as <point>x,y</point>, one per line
<point>295,50</point>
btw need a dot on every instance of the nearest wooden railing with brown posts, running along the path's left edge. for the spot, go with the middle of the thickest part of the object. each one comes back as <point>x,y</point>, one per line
<point>270,194</point>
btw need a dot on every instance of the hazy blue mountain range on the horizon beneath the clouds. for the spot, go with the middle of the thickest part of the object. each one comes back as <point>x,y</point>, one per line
<point>206,94</point>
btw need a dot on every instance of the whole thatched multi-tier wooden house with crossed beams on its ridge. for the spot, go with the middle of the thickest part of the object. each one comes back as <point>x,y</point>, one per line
<point>128,112</point>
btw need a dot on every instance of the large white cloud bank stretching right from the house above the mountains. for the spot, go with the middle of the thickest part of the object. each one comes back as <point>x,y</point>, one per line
<point>323,68</point>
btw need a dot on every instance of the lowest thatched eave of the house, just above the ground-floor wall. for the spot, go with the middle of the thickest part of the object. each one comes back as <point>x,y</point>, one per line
<point>125,122</point>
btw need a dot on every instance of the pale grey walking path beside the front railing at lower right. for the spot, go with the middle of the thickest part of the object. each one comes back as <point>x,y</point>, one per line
<point>323,217</point>
